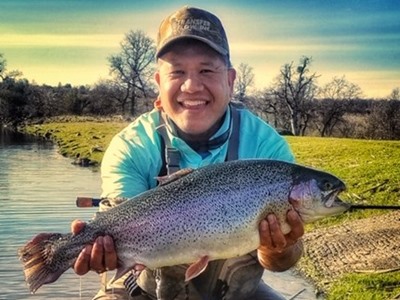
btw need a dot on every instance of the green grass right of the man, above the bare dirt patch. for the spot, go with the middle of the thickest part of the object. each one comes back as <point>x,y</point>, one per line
<point>370,169</point>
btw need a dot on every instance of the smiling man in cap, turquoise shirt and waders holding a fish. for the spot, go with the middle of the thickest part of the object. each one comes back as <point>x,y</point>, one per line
<point>193,124</point>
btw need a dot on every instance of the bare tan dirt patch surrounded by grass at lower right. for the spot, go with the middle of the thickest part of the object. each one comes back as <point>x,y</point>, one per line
<point>366,245</point>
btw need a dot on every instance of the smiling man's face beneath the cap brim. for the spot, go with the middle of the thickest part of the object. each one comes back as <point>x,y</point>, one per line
<point>195,87</point>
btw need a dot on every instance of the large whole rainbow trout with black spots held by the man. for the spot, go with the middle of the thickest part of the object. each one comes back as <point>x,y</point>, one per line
<point>197,216</point>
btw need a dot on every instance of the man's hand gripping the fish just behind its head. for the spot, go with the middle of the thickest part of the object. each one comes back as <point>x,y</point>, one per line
<point>278,251</point>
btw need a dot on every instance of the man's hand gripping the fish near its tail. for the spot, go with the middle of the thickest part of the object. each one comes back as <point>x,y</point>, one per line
<point>99,257</point>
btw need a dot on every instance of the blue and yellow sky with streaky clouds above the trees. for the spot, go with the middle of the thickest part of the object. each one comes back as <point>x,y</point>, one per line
<point>69,41</point>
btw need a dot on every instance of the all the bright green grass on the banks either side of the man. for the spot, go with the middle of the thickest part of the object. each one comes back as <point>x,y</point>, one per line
<point>371,170</point>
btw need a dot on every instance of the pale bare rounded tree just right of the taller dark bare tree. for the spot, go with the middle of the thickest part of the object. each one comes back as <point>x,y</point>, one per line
<point>334,100</point>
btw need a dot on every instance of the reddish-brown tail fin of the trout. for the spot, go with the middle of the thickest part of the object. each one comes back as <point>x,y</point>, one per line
<point>37,259</point>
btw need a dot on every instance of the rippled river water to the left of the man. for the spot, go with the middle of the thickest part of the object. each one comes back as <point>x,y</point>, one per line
<point>38,188</point>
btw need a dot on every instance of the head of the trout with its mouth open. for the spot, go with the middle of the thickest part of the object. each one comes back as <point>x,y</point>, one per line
<point>314,194</point>
